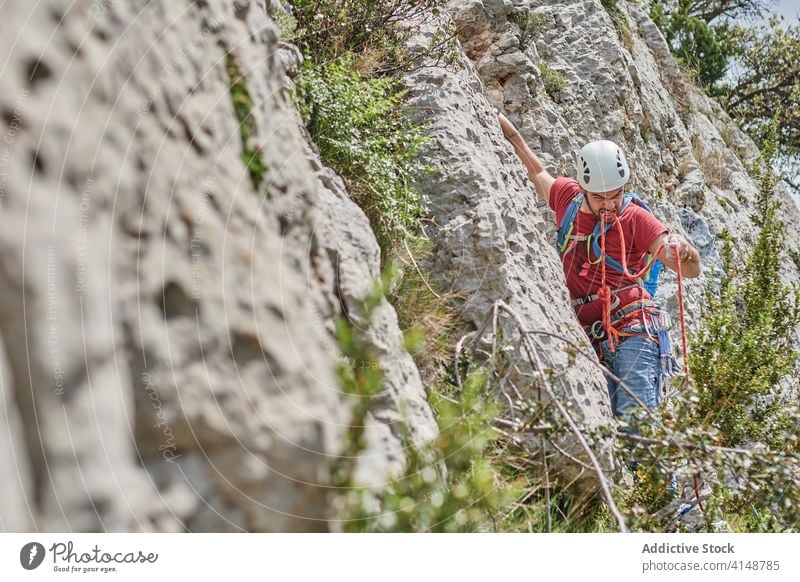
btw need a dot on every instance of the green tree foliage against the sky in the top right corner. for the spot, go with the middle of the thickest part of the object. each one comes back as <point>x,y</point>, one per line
<point>754,70</point>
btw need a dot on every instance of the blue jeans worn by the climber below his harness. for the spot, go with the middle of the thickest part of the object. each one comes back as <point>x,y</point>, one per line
<point>636,362</point>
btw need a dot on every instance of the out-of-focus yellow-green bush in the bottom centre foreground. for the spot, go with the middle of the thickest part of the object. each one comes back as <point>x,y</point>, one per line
<point>449,483</point>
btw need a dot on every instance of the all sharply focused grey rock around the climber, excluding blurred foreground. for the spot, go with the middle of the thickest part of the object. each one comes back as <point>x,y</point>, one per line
<point>563,87</point>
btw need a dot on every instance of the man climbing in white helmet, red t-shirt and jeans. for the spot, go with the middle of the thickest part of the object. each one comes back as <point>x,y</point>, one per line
<point>597,219</point>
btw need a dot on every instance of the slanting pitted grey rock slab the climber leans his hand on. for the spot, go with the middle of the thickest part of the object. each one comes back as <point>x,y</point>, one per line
<point>491,243</point>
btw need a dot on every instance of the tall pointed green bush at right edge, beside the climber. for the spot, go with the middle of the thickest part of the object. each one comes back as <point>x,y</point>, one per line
<point>744,347</point>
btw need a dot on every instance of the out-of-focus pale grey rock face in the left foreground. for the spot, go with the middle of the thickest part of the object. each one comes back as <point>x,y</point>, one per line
<point>167,316</point>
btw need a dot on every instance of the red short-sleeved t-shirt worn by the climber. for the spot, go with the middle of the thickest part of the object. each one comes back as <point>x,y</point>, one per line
<point>640,229</point>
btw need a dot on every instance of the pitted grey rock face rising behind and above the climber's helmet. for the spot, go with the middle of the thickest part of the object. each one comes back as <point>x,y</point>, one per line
<point>621,83</point>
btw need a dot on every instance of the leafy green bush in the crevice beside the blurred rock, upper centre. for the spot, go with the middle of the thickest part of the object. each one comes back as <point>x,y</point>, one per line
<point>361,132</point>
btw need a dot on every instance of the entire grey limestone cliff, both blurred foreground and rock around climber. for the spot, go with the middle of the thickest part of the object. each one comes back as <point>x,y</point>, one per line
<point>168,353</point>
